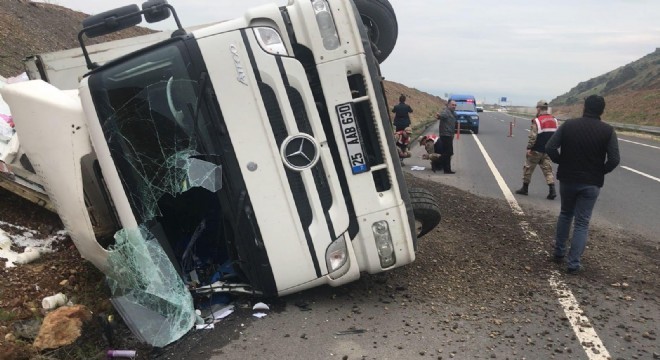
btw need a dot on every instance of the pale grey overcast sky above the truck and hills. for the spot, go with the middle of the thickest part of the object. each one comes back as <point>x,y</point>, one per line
<point>520,49</point>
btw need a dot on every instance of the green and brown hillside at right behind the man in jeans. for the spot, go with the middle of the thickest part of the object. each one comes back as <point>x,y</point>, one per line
<point>632,93</point>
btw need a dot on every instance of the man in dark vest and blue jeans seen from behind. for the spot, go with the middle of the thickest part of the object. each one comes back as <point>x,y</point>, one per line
<point>589,150</point>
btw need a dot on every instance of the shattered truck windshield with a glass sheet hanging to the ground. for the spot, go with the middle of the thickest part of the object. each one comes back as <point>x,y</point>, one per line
<point>166,157</point>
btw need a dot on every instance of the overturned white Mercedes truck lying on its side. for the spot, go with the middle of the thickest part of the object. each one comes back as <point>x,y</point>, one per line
<point>255,155</point>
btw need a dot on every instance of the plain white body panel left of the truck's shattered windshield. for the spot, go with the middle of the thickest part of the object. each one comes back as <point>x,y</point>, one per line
<point>54,133</point>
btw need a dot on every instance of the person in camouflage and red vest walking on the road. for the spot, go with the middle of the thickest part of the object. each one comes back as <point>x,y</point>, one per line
<point>543,126</point>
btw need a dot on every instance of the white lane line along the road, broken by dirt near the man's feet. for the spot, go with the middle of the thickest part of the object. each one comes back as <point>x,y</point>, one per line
<point>591,343</point>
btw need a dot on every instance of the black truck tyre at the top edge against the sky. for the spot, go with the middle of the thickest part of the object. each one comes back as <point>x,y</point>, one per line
<point>380,20</point>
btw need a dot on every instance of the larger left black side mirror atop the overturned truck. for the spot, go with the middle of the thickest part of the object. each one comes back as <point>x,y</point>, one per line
<point>112,20</point>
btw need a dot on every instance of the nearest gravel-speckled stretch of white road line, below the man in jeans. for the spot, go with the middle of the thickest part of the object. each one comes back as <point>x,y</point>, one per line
<point>582,328</point>
